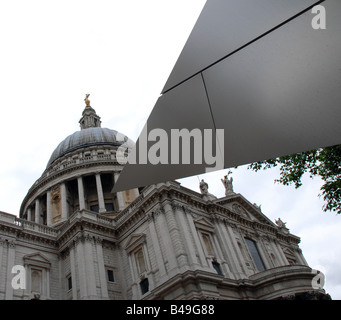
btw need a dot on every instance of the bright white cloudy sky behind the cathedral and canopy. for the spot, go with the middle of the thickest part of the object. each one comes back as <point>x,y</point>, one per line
<point>121,52</point>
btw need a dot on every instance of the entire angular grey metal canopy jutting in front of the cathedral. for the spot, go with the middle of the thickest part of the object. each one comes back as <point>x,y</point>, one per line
<point>258,70</point>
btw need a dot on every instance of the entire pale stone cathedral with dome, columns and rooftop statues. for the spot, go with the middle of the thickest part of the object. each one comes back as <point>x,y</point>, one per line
<point>75,239</point>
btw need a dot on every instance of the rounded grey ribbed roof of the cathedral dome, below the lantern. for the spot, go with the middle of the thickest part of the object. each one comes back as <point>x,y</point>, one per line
<point>89,137</point>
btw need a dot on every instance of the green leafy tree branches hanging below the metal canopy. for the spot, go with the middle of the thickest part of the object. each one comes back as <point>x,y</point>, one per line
<point>324,162</point>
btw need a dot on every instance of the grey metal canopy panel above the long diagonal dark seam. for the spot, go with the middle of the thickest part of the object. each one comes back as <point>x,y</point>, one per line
<point>224,26</point>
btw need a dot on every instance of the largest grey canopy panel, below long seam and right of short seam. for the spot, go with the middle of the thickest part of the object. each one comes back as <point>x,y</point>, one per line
<point>281,94</point>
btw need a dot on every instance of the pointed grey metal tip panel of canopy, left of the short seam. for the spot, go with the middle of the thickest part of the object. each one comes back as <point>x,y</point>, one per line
<point>184,107</point>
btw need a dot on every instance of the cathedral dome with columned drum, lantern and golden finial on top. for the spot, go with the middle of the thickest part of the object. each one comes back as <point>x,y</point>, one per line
<point>80,175</point>
